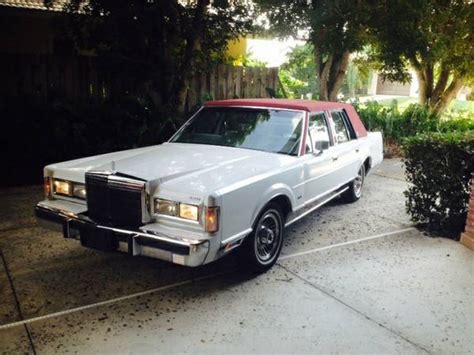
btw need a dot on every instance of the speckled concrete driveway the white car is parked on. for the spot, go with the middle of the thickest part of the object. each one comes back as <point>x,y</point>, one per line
<point>354,278</point>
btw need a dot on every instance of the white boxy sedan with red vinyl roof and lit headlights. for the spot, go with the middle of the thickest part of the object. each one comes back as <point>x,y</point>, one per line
<point>234,176</point>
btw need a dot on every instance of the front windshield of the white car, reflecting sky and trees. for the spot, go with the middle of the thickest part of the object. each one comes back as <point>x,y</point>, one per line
<point>269,130</point>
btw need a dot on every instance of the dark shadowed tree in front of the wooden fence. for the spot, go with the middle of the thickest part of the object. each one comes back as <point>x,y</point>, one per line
<point>159,43</point>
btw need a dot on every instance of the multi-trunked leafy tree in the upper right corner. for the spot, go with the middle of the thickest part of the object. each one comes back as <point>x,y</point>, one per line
<point>434,37</point>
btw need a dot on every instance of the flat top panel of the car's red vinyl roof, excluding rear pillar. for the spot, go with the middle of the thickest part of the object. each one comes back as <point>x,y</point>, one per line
<point>305,105</point>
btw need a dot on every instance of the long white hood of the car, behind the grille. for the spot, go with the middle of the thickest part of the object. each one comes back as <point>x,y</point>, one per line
<point>183,166</point>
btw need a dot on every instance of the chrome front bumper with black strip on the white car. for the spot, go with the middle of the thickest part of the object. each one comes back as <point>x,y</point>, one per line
<point>134,242</point>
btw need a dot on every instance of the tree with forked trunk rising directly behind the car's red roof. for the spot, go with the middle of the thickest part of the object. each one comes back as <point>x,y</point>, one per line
<point>335,29</point>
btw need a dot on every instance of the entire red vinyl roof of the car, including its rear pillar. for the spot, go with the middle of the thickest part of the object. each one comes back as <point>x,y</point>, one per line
<point>304,105</point>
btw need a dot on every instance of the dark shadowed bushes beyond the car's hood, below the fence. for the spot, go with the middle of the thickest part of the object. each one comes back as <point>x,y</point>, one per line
<point>37,133</point>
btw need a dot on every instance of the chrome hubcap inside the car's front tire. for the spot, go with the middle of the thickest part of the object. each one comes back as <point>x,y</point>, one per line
<point>267,238</point>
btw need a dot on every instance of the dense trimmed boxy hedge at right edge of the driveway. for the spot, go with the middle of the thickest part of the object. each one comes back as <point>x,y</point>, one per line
<point>438,167</point>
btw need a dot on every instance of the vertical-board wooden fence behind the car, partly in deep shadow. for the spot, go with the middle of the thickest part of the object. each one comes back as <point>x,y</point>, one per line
<point>80,77</point>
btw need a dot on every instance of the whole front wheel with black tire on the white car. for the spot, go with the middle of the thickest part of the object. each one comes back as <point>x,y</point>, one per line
<point>260,250</point>
